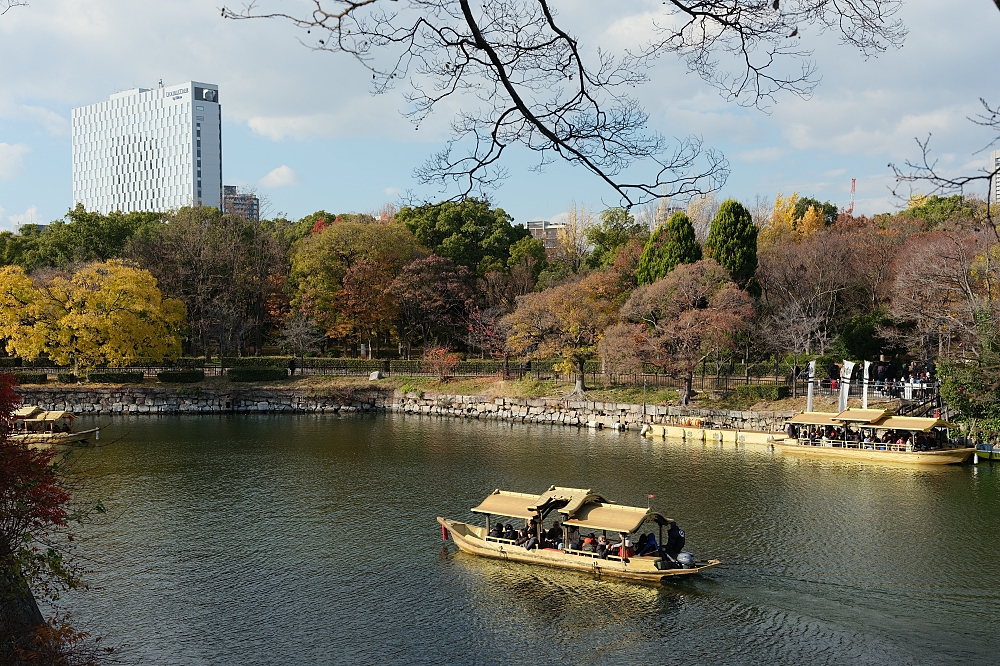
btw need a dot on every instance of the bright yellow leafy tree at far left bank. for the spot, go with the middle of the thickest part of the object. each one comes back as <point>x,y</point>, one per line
<point>104,313</point>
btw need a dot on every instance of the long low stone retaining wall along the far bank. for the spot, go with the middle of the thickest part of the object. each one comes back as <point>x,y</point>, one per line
<point>199,400</point>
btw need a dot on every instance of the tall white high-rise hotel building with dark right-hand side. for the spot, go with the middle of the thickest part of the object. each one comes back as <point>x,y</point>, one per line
<point>149,150</point>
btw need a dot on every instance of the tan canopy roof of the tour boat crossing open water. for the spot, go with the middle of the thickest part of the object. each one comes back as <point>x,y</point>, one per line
<point>580,507</point>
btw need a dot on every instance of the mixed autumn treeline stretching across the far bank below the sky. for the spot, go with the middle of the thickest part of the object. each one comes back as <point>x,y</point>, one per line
<point>717,282</point>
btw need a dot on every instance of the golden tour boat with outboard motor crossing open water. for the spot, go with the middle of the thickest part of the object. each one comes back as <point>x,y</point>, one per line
<point>580,510</point>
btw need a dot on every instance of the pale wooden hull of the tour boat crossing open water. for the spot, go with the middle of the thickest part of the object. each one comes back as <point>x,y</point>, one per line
<point>470,539</point>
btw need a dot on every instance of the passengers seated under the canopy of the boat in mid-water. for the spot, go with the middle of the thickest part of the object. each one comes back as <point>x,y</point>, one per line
<point>572,540</point>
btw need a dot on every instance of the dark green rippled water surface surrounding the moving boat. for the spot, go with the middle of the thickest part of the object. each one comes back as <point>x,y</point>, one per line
<point>309,539</point>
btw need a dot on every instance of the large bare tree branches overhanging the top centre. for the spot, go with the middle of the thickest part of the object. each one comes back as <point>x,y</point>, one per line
<point>533,84</point>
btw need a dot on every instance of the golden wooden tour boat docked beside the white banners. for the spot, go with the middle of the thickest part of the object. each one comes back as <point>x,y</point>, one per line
<point>858,434</point>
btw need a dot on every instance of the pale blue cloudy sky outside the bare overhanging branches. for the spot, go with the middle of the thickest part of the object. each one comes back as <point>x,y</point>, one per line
<point>302,127</point>
